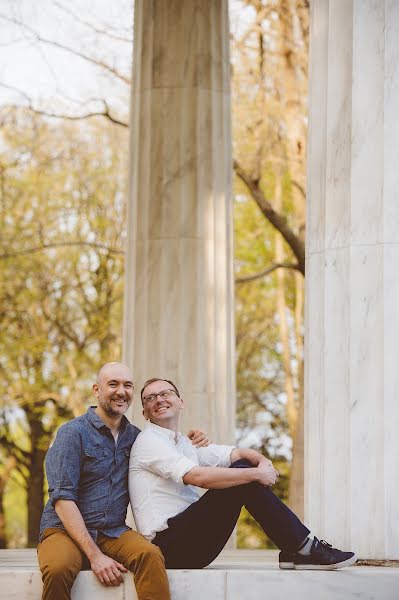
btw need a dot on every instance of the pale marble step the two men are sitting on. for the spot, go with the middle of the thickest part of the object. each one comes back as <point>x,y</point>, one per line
<point>230,578</point>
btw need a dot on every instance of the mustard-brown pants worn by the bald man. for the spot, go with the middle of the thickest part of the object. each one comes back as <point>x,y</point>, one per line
<point>60,561</point>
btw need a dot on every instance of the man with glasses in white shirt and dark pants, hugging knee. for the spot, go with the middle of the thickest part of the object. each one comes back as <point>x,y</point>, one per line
<point>190,530</point>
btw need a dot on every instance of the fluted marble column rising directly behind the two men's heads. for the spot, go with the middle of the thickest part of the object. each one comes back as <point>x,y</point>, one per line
<point>178,320</point>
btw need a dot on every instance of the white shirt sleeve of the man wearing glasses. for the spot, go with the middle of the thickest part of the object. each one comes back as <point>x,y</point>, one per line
<point>152,453</point>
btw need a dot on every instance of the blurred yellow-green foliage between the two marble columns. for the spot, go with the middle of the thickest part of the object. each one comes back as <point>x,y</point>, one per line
<point>269,115</point>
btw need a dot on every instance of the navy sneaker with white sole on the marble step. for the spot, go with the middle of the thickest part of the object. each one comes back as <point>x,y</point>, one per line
<point>323,557</point>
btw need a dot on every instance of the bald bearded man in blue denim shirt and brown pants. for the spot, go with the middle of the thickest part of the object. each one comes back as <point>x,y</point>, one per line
<point>83,523</point>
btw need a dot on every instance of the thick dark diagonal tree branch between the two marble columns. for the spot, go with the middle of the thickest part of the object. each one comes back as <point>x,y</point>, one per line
<point>277,220</point>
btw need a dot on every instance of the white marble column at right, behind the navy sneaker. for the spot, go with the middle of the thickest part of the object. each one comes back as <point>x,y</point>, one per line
<point>352,315</point>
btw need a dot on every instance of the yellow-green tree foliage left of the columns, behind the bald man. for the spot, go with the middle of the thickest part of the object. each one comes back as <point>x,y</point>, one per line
<point>63,221</point>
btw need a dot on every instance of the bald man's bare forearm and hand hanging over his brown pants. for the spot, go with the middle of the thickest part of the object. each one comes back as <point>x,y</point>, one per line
<point>107,570</point>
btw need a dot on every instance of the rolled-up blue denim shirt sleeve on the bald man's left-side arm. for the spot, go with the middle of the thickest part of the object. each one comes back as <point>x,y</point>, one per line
<point>63,465</point>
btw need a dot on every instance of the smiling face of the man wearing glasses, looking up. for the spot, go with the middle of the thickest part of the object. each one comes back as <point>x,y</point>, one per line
<point>163,409</point>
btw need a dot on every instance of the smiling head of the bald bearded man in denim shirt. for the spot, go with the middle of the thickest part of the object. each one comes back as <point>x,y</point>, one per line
<point>114,390</point>
